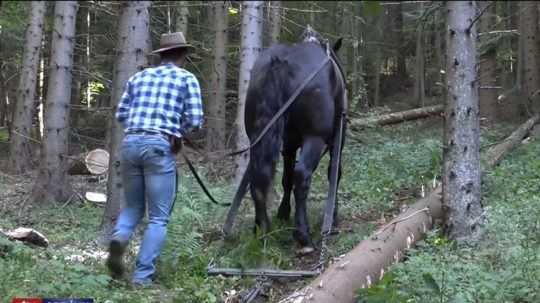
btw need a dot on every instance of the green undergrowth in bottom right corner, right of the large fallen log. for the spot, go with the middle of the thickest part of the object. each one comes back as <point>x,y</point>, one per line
<point>503,267</point>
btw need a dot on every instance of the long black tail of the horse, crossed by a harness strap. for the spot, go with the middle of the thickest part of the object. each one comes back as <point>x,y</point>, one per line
<point>264,155</point>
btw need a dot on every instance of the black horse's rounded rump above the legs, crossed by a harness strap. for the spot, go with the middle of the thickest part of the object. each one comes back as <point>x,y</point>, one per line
<point>313,113</point>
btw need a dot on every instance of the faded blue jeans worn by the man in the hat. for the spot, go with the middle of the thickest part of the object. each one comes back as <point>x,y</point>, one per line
<point>148,170</point>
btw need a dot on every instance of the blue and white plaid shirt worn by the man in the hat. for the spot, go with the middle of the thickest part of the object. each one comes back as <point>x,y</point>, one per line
<point>165,98</point>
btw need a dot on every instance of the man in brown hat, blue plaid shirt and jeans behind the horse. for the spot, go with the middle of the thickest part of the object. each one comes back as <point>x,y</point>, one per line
<point>159,106</point>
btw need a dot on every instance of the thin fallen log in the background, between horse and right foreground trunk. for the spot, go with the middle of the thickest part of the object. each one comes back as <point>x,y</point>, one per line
<point>397,117</point>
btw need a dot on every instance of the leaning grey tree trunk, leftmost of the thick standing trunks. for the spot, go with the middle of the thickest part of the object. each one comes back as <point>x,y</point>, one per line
<point>19,147</point>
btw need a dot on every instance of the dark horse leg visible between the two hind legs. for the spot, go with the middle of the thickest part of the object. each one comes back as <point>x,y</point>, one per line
<point>289,158</point>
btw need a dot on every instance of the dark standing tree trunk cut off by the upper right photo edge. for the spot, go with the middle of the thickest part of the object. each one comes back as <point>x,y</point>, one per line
<point>529,32</point>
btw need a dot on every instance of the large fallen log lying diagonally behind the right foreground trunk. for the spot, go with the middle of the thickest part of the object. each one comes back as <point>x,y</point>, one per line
<point>367,262</point>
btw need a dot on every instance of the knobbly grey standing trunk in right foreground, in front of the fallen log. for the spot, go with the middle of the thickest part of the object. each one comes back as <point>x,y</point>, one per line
<point>461,178</point>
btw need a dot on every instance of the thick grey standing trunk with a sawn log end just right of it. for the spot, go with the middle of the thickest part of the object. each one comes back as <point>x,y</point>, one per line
<point>52,184</point>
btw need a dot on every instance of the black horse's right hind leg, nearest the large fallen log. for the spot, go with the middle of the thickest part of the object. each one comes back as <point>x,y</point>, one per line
<point>303,171</point>
